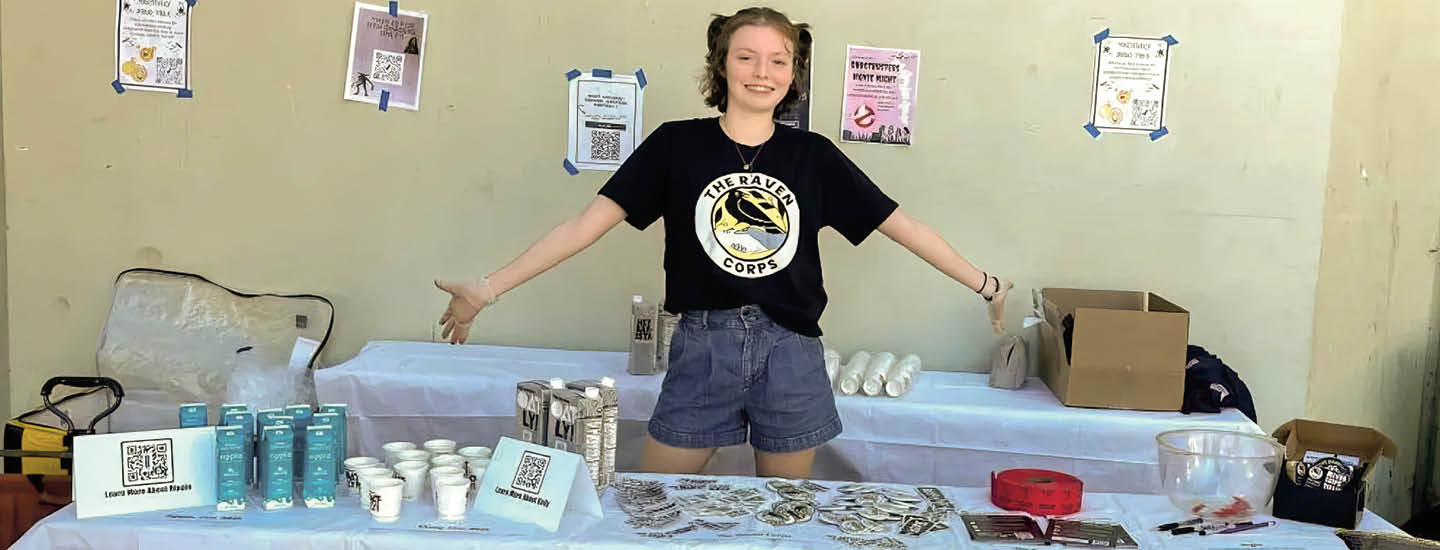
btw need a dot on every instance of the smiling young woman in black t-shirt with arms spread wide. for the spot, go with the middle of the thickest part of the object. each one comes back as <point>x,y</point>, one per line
<point>744,199</point>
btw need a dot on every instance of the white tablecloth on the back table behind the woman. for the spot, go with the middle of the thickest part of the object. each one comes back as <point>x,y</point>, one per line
<point>953,430</point>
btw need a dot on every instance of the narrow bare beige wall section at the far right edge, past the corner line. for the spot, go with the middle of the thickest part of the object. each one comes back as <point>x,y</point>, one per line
<point>1376,303</point>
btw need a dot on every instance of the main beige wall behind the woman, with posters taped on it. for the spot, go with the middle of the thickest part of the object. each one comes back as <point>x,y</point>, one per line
<point>267,181</point>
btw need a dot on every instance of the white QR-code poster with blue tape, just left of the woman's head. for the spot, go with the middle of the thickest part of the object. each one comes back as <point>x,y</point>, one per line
<point>606,120</point>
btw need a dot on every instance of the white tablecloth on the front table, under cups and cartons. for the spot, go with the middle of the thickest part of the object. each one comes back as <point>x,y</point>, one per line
<point>348,526</point>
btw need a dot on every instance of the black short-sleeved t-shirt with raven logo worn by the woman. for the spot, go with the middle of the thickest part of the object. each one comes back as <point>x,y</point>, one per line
<point>735,237</point>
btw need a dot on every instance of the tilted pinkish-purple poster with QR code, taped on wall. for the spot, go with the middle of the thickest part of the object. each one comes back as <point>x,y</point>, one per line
<point>387,57</point>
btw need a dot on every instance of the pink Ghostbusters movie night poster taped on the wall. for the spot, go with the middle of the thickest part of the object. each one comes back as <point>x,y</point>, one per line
<point>881,96</point>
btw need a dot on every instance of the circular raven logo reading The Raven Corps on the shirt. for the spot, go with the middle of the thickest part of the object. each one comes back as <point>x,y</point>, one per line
<point>748,224</point>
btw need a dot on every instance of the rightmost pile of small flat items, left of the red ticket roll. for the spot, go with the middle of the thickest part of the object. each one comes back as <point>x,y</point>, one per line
<point>869,510</point>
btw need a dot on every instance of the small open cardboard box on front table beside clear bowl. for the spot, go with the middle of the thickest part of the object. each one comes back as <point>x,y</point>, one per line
<point>1336,509</point>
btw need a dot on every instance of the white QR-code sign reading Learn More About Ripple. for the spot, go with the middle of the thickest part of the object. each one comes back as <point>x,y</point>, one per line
<point>142,472</point>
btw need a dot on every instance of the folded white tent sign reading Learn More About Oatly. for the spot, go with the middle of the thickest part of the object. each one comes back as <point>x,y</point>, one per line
<point>536,484</point>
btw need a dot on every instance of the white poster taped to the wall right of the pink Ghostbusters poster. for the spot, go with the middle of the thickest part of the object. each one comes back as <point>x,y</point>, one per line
<point>1130,84</point>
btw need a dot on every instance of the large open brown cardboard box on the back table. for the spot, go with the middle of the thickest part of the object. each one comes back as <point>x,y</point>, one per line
<point>1128,349</point>
